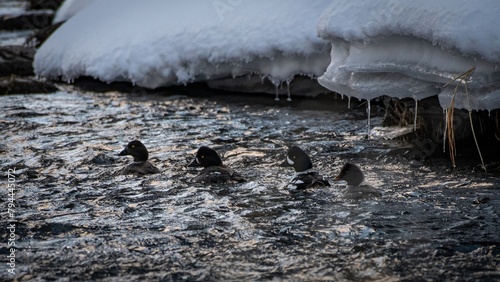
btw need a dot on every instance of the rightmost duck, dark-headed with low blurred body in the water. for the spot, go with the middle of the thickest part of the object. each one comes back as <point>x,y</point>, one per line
<point>354,177</point>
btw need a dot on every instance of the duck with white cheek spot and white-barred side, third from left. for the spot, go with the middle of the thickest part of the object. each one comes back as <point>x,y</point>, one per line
<point>305,177</point>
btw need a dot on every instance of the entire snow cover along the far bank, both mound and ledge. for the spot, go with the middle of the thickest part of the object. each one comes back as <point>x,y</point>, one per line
<point>395,48</point>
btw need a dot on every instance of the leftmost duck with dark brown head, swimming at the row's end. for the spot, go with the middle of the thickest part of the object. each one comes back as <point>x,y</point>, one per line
<point>141,165</point>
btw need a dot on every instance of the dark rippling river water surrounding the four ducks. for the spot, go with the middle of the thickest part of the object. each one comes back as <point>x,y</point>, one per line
<point>76,220</point>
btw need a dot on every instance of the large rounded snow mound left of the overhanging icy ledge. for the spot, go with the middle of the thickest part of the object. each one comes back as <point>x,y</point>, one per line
<point>160,42</point>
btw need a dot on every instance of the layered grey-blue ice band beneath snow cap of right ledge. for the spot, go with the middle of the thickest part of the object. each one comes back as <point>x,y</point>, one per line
<point>415,58</point>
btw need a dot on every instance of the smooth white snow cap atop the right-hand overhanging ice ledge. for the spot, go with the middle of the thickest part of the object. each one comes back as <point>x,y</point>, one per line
<point>466,27</point>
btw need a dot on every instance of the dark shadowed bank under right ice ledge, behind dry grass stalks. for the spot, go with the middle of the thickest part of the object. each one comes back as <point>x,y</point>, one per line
<point>431,125</point>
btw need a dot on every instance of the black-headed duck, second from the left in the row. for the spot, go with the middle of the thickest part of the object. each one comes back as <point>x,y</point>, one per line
<point>214,171</point>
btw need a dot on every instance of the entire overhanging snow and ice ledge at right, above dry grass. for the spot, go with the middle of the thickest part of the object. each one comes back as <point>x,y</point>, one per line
<point>412,49</point>
